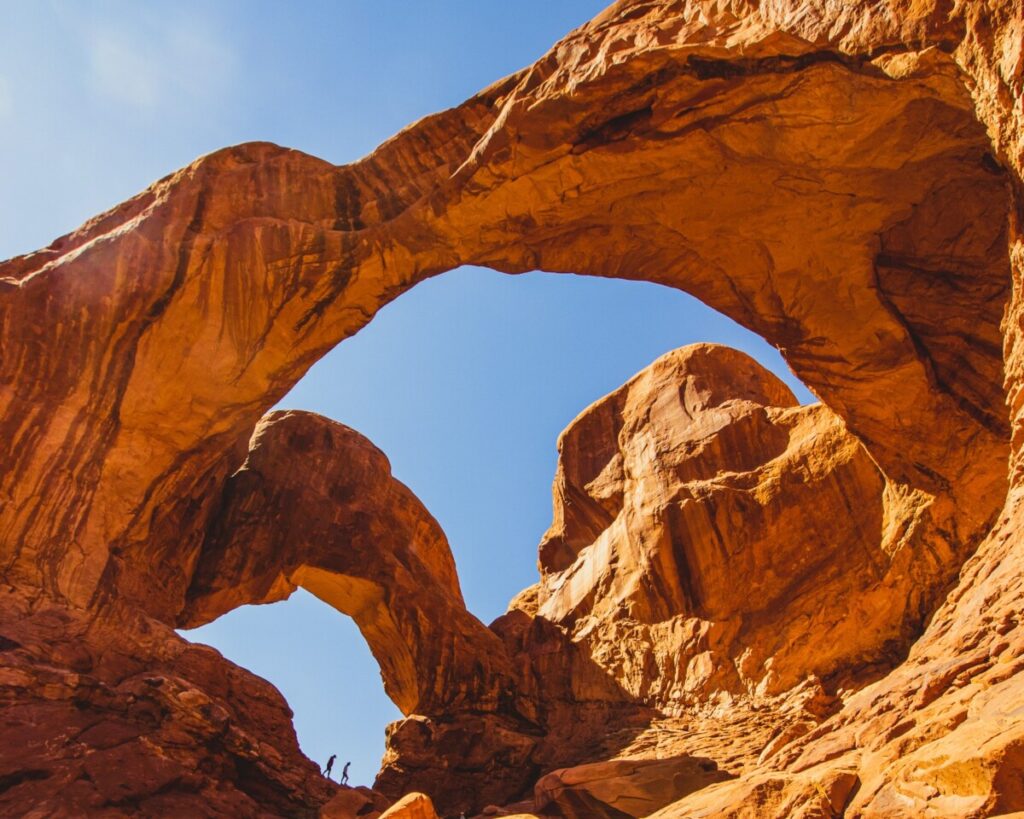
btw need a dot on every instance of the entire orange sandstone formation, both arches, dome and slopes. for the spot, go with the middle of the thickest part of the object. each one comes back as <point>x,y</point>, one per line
<point>843,179</point>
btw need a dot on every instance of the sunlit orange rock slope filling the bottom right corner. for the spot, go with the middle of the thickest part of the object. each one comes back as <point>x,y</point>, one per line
<point>940,737</point>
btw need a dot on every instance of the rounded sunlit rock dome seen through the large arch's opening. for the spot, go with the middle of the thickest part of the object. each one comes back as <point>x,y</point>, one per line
<point>711,536</point>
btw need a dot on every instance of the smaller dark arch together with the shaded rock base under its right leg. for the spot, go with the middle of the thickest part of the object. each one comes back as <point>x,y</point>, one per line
<point>315,505</point>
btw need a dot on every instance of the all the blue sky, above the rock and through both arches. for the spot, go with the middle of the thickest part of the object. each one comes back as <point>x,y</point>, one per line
<point>465,382</point>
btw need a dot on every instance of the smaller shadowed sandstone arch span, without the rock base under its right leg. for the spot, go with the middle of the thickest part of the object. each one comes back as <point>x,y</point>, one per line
<point>315,505</point>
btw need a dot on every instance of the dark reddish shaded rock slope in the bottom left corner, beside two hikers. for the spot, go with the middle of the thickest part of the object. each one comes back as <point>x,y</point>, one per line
<point>116,715</point>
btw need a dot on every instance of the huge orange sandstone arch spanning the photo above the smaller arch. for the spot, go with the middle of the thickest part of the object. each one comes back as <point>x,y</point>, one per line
<point>695,182</point>
